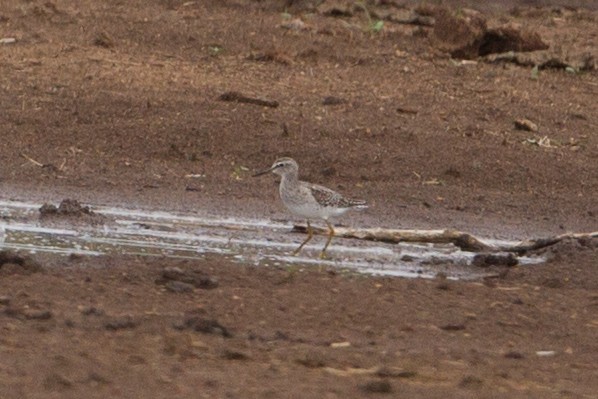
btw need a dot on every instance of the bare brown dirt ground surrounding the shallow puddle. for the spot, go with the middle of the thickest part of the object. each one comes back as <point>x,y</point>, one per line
<point>119,101</point>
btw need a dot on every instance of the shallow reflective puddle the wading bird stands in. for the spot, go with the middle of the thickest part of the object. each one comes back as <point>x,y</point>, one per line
<point>247,241</point>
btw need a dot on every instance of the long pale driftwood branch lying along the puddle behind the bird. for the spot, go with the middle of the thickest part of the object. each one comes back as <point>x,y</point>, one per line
<point>465,241</point>
